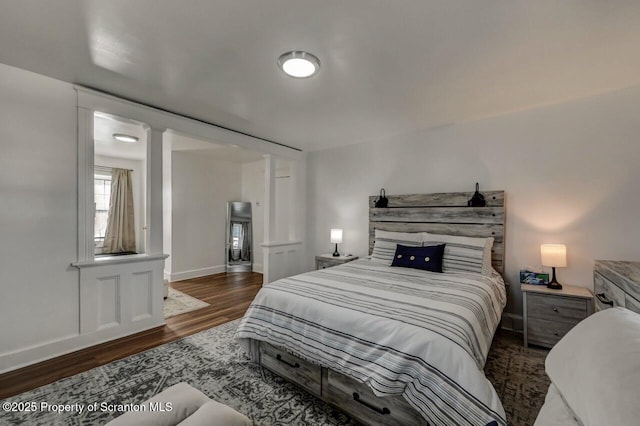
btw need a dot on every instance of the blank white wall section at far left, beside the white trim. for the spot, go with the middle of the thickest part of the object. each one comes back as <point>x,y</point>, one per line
<point>38,210</point>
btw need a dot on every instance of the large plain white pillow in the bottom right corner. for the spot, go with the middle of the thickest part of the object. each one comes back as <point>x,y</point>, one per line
<point>596,368</point>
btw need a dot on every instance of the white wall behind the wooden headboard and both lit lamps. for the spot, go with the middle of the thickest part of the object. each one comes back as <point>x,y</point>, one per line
<point>571,173</point>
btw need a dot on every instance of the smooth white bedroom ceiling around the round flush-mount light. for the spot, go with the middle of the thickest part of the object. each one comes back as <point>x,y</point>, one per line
<point>387,67</point>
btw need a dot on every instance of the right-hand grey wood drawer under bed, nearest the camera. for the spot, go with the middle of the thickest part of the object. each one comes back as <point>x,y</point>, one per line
<point>358,400</point>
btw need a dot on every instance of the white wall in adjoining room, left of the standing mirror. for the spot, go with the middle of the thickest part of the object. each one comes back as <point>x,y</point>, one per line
<point>200,189</point>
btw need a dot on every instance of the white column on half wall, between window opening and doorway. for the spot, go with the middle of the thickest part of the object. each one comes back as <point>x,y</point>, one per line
<point>154,191</point>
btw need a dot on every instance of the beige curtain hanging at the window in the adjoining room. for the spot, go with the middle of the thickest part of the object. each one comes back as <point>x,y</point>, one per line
<point>120,236</point>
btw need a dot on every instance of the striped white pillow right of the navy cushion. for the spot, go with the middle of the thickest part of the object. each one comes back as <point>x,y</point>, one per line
<point>463,254</point>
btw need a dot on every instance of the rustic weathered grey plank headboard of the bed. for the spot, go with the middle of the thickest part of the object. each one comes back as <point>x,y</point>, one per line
<point>443,213</point>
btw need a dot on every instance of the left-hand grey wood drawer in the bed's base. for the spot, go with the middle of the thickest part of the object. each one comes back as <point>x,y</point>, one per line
<point>292,368</point>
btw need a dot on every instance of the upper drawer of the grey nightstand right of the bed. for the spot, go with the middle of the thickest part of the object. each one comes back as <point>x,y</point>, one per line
<point>556,308</point>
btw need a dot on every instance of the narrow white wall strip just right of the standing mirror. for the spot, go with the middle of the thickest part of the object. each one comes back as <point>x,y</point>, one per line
<point>253,192</point>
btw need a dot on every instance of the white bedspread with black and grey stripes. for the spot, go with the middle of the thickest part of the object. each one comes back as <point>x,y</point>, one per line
<point>420,334</point>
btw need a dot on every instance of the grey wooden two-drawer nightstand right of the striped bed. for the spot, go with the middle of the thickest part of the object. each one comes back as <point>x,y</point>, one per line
<point>550,314</point>
